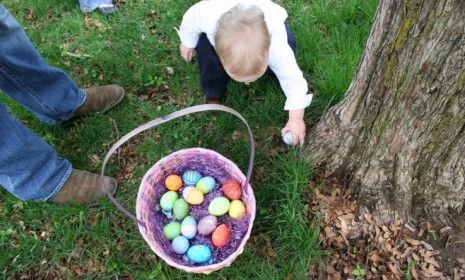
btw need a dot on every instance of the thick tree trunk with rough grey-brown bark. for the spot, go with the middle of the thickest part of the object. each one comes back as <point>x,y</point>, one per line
<point>398,137</point>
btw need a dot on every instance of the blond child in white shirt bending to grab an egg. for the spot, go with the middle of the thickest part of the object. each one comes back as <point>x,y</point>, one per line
<point>240,39</point>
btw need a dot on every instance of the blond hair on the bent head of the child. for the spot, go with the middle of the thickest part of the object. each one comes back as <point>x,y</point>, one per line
<point>242,41</point>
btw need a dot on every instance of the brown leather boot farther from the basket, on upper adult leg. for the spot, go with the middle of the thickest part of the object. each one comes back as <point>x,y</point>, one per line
<point>100,99</point>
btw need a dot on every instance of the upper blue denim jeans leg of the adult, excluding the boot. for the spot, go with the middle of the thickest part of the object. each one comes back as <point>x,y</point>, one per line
<point>48,92</point>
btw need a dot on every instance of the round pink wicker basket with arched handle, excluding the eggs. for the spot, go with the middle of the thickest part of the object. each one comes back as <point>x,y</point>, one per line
<point>208,163</point>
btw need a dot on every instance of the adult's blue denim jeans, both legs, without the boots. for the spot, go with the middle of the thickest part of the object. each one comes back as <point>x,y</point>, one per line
<point>30,169</point>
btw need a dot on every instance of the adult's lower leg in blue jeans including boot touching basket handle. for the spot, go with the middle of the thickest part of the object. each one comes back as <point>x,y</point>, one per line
<point>30,169</point>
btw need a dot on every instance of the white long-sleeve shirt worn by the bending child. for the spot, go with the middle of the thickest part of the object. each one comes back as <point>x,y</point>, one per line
<point>203,17</point>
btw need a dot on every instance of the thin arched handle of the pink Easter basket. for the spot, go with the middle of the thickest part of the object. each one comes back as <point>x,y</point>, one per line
<point>167,118</point>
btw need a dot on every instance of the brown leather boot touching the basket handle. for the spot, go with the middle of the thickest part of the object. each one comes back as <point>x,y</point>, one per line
<point>83,187</point>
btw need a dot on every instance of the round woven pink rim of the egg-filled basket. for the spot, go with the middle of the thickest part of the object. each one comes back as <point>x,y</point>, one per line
<point>207,268</point>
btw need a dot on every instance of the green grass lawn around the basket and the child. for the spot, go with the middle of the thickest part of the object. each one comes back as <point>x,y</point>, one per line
<point>133,48</point>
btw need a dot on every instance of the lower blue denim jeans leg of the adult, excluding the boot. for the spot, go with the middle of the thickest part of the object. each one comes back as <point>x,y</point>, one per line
<point>29,168</point>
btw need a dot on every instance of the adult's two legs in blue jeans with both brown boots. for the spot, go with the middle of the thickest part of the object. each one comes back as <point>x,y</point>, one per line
<point>29,168</point>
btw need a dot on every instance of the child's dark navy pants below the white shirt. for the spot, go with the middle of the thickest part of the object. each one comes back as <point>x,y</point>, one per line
<point>213,78</point>
